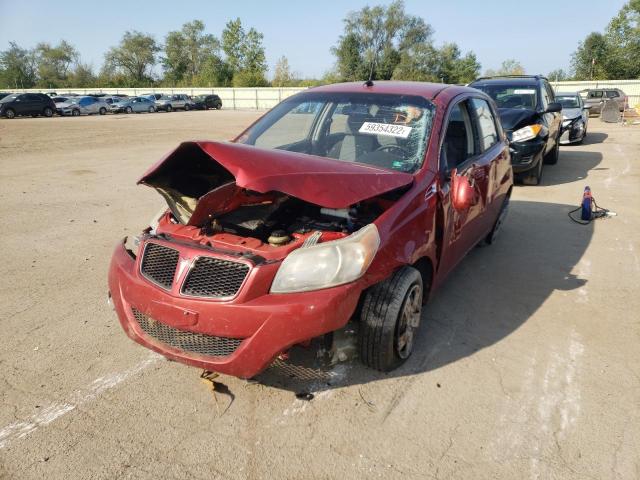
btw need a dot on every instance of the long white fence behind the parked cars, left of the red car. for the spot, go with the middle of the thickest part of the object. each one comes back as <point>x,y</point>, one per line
<point>234,98</point>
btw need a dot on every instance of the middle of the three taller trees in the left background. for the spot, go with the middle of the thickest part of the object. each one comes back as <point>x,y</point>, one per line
<point>190,52</point>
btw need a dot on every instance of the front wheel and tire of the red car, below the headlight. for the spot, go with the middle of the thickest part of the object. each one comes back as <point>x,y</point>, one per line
<point>389,320</point>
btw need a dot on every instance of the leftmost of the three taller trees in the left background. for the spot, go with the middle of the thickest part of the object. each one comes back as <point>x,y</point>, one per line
<point>133,58</point>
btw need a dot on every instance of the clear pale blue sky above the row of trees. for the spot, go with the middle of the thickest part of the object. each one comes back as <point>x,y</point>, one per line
<point>540,34</point>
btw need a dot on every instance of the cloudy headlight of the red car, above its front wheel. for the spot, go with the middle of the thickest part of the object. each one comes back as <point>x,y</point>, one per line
<point>328,264</point>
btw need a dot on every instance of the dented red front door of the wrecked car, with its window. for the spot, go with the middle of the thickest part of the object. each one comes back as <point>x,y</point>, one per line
<point>461,154</point>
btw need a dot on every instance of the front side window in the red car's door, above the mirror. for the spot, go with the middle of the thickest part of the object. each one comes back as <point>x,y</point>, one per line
<point>458,145</point>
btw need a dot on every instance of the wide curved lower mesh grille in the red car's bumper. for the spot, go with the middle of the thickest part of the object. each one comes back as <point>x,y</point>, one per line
<point>199,343</point>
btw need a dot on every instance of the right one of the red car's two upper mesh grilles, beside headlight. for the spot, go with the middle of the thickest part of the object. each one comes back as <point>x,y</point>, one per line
<point>214,278</point>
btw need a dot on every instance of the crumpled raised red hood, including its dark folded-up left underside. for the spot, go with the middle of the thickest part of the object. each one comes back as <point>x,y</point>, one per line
<point>196,168</point>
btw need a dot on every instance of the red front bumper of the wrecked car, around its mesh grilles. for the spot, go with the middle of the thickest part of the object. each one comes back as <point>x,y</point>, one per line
<point>267,324</point>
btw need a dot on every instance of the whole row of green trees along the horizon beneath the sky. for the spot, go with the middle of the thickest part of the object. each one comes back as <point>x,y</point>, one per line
<point>380,42</point>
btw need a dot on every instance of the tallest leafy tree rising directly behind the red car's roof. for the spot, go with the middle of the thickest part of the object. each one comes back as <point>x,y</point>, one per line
<point>378,39</point>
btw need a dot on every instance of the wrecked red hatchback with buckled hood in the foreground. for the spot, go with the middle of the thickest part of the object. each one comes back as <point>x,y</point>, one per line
<point>357,212</point>
